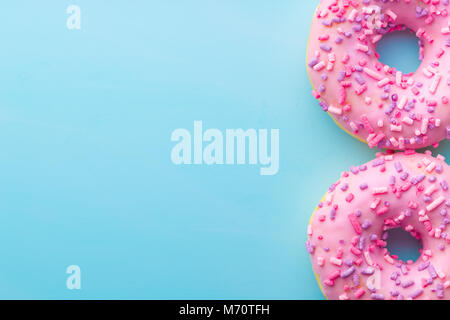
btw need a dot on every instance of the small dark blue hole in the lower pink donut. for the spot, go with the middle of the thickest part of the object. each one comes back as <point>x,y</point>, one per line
<point>402,244</point>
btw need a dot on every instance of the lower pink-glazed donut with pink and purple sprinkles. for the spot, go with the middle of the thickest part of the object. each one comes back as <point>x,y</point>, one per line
<point>347,232</point>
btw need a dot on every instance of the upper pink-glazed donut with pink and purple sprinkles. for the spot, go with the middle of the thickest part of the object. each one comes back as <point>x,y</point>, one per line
<point>372,101</point>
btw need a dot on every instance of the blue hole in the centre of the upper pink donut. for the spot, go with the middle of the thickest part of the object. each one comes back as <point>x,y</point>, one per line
<point>400,50</point>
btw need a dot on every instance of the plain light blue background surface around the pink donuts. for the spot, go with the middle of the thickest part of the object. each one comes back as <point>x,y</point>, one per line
<point>85,171</point>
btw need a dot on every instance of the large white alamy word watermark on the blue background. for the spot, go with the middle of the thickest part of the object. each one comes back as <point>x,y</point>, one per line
<point>236,146</point>
